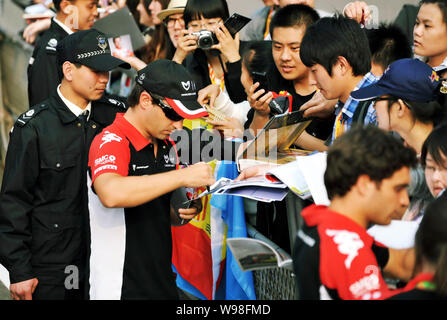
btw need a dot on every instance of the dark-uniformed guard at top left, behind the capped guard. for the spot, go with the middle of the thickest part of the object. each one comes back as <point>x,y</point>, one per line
<point>43,72</point>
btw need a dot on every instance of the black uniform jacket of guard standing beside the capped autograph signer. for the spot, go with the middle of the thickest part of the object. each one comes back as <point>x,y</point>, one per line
<point>43,198</point>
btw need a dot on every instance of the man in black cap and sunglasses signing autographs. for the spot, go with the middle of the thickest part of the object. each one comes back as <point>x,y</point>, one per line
<point>133,166</point>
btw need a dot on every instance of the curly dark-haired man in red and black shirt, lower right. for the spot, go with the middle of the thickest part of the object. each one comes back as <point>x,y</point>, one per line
<point>366,179</point>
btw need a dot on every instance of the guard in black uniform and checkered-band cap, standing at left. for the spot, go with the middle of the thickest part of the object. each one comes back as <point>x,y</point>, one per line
<point>43,200</point>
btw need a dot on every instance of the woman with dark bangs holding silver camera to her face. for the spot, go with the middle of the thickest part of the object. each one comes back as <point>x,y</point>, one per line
<point>209,47</point>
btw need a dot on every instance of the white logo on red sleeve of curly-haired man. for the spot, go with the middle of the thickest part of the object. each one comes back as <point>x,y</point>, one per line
<point>349,243</point>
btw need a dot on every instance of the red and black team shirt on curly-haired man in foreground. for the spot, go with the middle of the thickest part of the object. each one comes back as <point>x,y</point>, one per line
<point>335,258</point>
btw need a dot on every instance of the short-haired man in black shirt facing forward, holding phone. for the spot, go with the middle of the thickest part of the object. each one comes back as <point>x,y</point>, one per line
<point>288,73</point>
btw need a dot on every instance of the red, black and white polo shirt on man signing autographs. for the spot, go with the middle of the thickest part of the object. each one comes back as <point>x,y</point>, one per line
<point>131,248</point>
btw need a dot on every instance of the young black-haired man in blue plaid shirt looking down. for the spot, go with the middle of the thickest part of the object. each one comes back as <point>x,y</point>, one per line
<point>337,52</point>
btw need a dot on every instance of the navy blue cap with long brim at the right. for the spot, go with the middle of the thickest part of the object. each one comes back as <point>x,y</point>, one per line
<point>407,79</point>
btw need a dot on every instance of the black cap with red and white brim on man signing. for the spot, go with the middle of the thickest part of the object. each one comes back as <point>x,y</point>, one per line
<point>170,80</point>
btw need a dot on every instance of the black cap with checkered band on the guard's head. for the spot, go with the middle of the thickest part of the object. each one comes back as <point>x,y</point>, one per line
<point>89,48</point>
